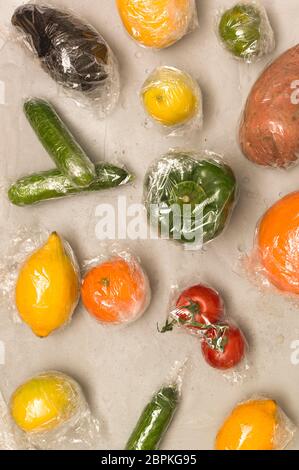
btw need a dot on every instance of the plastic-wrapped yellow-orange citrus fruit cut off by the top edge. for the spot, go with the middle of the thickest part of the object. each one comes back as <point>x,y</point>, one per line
<point>160,23</point>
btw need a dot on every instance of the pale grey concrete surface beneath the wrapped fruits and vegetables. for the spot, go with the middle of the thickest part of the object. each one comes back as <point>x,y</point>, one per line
<point>119,368</point>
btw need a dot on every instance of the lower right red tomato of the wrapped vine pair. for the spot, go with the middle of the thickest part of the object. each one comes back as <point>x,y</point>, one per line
<point>223,347</point>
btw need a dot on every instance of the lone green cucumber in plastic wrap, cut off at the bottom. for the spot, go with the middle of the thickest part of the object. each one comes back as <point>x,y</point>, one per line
<point>154,420</point>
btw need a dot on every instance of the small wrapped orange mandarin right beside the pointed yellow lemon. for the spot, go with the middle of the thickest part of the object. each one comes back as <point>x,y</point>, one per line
<point>115,288</point>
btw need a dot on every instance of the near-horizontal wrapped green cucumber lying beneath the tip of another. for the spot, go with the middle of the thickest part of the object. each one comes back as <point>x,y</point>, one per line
<point>53,184</point>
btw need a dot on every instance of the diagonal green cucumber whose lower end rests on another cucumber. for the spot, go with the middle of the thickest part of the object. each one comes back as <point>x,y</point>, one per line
<point>69,157</point>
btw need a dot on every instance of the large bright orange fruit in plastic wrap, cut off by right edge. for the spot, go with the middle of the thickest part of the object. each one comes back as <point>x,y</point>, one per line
<point>274,259</point>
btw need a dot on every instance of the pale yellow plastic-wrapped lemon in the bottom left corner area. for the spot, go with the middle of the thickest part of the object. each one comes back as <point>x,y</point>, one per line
<point>45,402</point>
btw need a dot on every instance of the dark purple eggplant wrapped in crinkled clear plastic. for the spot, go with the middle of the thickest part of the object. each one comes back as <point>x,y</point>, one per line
<point>73,53</point>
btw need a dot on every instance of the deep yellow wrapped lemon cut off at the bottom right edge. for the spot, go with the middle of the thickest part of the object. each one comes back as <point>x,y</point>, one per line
<point>251,426</point>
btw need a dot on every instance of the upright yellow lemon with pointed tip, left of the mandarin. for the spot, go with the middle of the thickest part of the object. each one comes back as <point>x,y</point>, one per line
<point>47,289</point>
